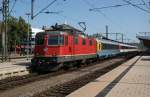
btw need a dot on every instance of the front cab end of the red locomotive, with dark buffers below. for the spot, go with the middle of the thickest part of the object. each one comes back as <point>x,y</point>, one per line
<point>47,50</point>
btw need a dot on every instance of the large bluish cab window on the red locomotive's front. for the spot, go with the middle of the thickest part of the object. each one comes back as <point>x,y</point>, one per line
<point>56,40</point>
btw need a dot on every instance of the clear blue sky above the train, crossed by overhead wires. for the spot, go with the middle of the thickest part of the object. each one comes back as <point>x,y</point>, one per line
<point>126,19</point>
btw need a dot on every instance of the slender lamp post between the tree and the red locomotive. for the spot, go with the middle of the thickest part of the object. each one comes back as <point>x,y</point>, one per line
<point>28,40</point>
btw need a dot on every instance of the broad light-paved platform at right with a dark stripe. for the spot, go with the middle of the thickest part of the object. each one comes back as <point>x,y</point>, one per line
<point>131,79</point>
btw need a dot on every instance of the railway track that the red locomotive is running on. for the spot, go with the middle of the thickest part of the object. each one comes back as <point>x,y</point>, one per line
<point>12,82</point>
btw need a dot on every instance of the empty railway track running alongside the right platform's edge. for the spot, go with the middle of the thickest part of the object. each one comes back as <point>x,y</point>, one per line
<point>62,90</point>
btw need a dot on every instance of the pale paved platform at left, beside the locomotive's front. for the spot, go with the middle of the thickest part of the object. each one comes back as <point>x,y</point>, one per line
<point>14,67</point>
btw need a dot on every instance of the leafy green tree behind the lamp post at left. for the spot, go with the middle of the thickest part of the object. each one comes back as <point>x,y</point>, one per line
<point>17,31</point>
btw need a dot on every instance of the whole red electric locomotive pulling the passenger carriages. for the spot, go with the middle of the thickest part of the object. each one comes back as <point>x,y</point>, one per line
<point>62,45</point>
